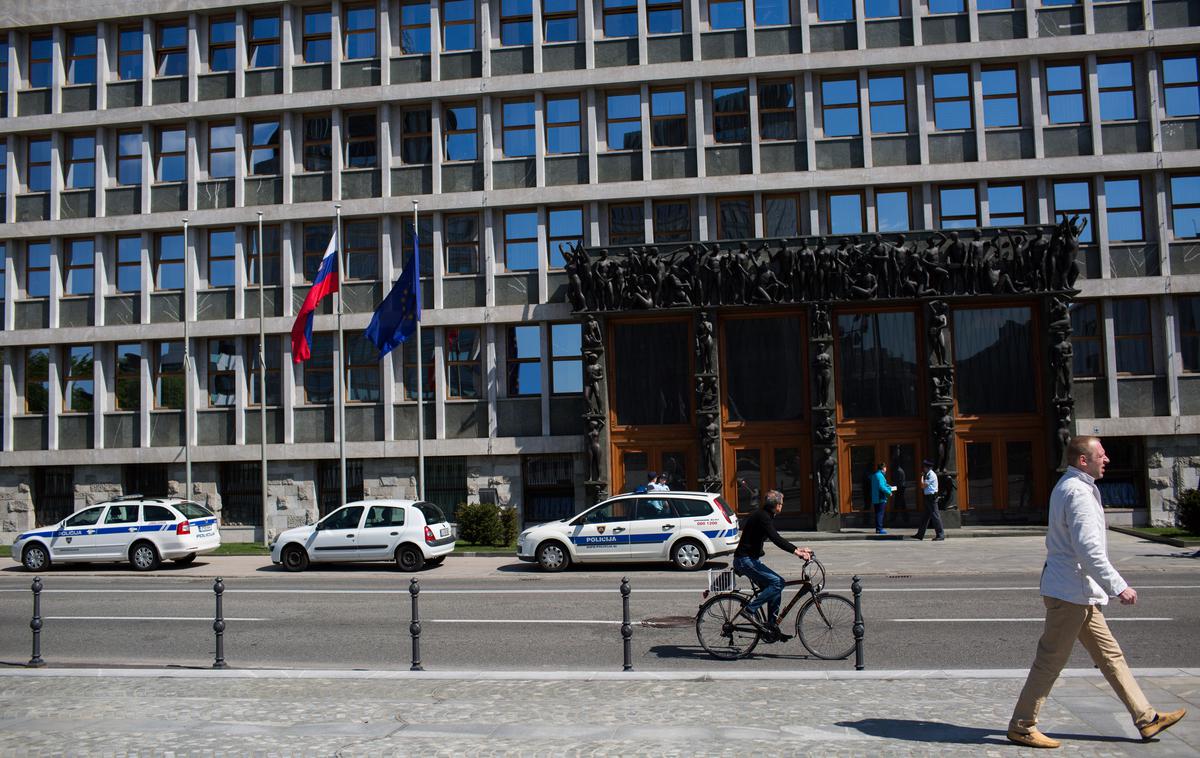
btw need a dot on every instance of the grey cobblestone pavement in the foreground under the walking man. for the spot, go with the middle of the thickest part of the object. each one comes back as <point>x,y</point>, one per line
<point>181,712</point>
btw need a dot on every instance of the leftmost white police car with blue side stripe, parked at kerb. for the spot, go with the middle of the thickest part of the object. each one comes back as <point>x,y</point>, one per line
<point>141,531</point>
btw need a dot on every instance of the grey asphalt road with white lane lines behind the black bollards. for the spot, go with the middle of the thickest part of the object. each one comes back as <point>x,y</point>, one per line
<point>357,618</point>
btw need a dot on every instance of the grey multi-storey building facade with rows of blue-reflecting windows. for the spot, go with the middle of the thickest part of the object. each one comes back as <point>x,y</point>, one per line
<point>521,130</point>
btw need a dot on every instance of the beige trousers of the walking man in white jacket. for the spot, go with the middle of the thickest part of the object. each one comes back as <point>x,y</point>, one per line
<point>1065,624</point>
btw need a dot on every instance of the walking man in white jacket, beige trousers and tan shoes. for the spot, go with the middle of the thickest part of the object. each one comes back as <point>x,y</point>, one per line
<point>1077,583</point>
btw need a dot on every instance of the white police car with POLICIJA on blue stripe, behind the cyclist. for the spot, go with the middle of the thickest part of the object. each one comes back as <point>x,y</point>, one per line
<point>686,528</point>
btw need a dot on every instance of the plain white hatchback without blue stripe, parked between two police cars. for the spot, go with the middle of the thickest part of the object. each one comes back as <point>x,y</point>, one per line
<point>411,533</point>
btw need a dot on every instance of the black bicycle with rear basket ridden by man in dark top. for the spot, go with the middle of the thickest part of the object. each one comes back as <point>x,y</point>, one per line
<point>824,625</point>
